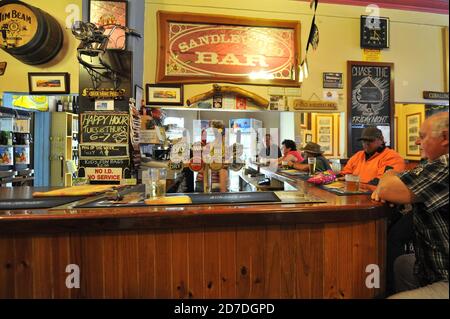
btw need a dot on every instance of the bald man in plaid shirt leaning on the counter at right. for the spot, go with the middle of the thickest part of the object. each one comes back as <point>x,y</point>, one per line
<point>423,274</point>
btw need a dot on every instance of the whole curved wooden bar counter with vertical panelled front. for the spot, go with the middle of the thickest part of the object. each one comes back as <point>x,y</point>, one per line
<point>316,250</point>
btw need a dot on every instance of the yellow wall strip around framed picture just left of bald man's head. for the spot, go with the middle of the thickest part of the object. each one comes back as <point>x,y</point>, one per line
<point>401,112</point>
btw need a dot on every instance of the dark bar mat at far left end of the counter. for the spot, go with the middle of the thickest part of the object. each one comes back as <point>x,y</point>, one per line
<point>36,203</point>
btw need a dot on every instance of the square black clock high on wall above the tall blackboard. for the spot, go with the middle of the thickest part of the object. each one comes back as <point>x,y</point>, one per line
<point>374,32</point>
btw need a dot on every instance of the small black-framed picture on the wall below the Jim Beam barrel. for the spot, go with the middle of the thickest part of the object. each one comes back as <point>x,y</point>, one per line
<point>49,82</point>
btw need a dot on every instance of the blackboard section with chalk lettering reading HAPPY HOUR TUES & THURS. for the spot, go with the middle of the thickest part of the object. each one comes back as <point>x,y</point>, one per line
<point>104,128</point>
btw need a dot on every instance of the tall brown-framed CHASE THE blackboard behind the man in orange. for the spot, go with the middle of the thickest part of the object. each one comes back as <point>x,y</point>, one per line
<point>370,100</point>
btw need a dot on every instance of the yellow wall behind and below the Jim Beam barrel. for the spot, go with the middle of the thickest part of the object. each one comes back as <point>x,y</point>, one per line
<point>15,78</point>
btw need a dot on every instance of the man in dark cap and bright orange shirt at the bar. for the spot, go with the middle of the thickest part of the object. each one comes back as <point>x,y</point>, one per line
<point>375,158</point>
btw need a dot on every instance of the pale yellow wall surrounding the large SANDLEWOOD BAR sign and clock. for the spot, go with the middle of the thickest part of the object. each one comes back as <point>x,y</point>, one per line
<point>416,45</point>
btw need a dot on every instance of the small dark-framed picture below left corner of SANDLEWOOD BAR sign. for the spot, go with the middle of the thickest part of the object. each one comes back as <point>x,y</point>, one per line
<point>164,94</point>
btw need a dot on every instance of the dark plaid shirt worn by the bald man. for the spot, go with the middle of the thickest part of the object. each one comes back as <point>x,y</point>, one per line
<point>429,184</point>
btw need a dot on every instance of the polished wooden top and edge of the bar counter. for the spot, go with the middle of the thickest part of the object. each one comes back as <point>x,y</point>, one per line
<point>66,217</point>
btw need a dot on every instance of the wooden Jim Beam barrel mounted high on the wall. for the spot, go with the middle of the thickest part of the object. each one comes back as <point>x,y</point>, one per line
<point>28,33</point>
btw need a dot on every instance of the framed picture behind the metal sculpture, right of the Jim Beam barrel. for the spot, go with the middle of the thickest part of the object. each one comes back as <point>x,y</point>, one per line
<point>107,12</point>
